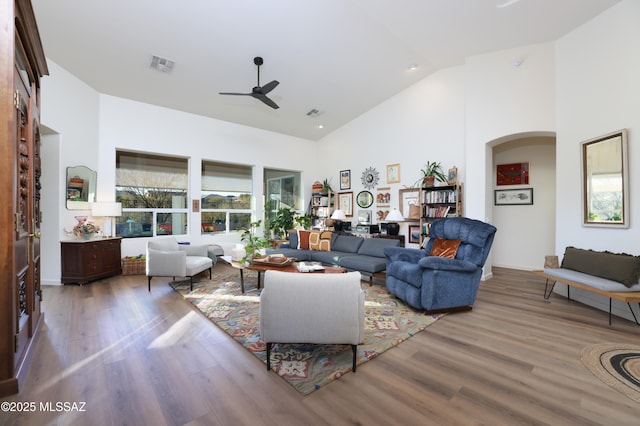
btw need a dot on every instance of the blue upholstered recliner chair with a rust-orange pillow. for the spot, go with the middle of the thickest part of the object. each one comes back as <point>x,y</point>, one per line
<point>438,284</point>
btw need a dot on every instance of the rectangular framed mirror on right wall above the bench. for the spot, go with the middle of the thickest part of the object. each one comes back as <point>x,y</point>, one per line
<point>605,181</point>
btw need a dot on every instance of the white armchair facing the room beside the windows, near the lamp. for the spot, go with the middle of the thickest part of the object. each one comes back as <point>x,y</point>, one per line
<point>167,258</point>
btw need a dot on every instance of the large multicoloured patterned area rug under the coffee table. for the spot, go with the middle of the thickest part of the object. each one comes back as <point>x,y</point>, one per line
<point>388,322</point>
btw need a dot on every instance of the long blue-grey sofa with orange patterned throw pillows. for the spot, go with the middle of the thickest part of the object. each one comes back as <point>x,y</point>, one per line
<point>365,255</point>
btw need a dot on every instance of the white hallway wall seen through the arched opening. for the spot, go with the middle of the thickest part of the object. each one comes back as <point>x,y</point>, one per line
<point>527,232</point>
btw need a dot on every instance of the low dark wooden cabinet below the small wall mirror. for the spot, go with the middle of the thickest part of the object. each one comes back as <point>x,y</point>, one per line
<point>85,261</point>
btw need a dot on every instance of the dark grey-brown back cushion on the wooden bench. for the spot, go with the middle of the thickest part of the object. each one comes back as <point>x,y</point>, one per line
<point>620,267</point>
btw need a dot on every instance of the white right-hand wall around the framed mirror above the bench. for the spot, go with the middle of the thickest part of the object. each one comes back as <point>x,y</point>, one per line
<point>598,92</point>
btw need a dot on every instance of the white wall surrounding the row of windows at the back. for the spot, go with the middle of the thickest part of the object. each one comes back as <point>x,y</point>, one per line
<point>136,126</point>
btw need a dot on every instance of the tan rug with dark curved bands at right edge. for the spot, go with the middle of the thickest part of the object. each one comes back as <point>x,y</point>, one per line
<point>617,365</point>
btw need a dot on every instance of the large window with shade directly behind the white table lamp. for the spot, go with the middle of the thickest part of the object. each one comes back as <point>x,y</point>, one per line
<point>153,192</point>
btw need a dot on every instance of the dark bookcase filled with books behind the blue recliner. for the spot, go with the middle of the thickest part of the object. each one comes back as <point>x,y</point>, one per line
<point>437,202</point>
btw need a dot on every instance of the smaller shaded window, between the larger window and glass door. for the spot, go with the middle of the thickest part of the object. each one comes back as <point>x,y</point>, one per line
<point>225,197</point>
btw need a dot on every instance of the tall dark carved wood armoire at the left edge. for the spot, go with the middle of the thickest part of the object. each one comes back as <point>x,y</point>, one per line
<point>22,65</point>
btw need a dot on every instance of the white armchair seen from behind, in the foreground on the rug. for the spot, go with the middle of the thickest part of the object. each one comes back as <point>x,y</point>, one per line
<point>312,308</point>
